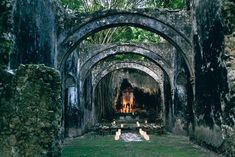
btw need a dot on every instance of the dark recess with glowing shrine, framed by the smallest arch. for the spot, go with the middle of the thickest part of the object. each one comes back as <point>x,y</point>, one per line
<point>128,95</point>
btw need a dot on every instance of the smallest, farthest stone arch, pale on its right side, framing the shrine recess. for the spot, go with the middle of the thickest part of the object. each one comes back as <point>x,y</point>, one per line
<point>87,88</point>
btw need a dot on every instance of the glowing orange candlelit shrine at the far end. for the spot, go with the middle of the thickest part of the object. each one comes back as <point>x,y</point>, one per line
<point>127,101</point>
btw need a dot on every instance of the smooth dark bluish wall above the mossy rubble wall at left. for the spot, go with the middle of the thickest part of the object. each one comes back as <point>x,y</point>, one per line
<point>35,33</point>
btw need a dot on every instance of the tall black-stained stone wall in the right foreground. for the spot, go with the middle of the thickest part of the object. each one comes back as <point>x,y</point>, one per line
<point>214,88</point>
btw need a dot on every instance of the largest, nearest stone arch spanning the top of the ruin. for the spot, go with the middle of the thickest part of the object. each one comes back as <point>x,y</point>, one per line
<point>161,23</point>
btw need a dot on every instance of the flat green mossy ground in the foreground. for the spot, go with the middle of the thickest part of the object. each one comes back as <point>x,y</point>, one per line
<point>158,146</point>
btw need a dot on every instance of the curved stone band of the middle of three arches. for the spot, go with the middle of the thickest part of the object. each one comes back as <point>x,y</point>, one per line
<point>91,61</point>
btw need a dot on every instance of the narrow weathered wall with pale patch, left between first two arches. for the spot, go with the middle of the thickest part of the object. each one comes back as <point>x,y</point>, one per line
<point>72,110</point>
